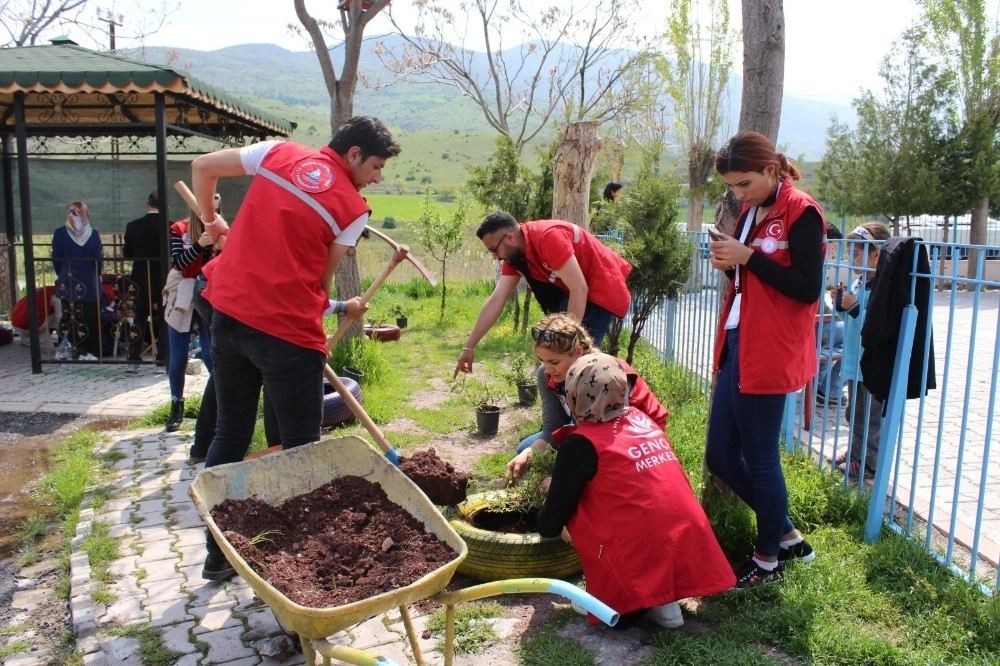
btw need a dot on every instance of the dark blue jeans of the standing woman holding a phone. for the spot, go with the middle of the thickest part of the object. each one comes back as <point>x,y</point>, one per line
<point>742,449</point>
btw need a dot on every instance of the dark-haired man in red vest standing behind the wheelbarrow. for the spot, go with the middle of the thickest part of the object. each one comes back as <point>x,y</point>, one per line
<point>269,287</point>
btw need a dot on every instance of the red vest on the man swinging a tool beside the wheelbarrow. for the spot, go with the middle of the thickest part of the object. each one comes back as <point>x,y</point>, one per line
<point>268,276</point>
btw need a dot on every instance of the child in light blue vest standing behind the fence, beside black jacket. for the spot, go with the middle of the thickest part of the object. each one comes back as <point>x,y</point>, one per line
<point>863,412</point>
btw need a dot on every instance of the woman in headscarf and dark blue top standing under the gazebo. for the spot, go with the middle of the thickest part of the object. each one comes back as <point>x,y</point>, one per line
<point>77,256</point>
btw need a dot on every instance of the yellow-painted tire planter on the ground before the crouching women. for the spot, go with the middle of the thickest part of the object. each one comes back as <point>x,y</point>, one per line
<point>500,555</point>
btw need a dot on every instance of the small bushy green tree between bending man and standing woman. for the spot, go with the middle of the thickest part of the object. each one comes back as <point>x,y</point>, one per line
<point>660,254</point>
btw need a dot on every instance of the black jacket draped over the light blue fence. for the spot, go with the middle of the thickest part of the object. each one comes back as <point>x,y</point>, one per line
<point>884,314</point>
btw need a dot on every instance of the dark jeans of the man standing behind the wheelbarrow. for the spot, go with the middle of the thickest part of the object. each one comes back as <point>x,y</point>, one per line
<point>247,359</point>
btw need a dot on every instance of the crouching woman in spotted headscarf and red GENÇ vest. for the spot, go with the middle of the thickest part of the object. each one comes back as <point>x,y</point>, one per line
<point>619,490</point>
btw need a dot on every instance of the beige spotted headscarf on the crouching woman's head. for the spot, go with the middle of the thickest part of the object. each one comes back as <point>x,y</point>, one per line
<point>596,388</point>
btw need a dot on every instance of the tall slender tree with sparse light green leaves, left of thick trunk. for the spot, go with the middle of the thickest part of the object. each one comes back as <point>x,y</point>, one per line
<point>702,53</point>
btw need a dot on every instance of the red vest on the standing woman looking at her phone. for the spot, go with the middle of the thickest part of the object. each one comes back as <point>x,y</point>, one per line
<point>777,333</point>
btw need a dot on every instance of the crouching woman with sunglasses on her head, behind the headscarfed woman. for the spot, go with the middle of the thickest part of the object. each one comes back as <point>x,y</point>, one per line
<point>559,341</point>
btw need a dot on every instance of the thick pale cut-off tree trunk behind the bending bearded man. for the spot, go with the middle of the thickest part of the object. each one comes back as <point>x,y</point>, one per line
<point>572,168</point>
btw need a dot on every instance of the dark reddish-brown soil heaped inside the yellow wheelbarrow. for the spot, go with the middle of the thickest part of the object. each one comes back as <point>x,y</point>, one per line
<point>340,543</point>
